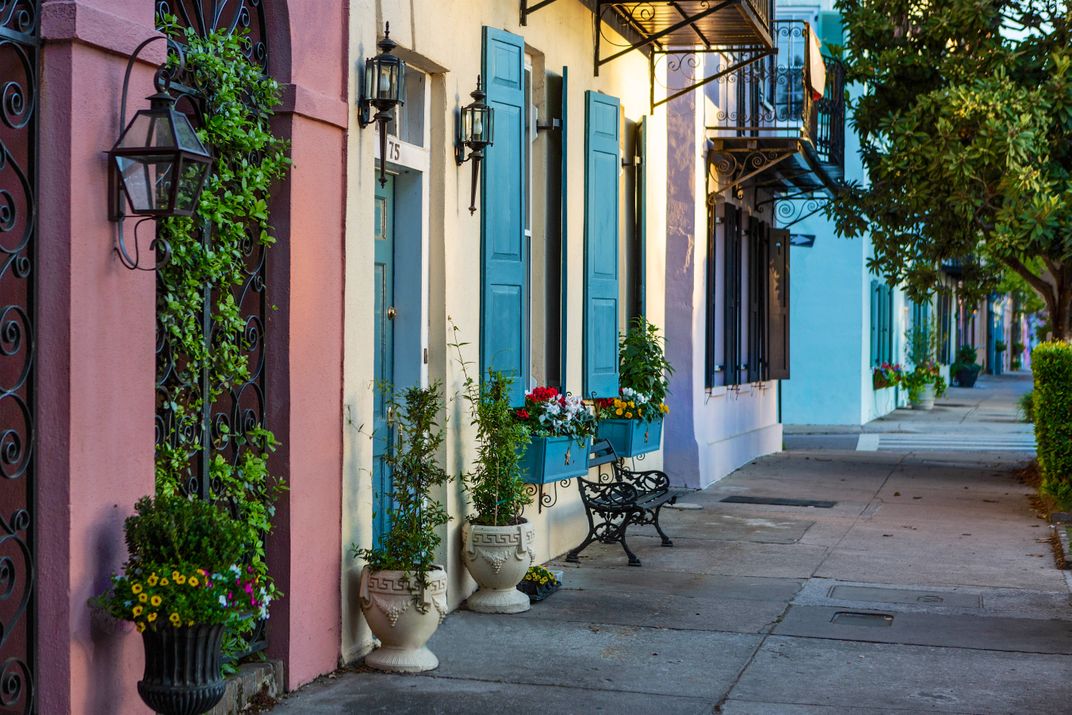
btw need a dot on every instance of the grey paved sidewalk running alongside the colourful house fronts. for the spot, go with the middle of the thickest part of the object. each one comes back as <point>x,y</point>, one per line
<point>929,586</point>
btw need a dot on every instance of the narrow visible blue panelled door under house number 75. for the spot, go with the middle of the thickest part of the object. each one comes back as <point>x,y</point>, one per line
<point>384,361</point>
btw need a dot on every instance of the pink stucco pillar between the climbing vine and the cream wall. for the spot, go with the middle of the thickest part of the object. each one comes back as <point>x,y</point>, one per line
<point>305,337</point>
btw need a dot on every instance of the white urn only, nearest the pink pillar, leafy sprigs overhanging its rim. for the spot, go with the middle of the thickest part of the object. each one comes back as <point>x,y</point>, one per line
<point>403,628</point>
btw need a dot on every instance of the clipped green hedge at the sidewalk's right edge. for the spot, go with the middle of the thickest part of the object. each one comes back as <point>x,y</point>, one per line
<point>1052,405</point>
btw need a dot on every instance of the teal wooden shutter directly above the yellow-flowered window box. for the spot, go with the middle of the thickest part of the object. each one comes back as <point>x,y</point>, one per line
<point>602,163</point>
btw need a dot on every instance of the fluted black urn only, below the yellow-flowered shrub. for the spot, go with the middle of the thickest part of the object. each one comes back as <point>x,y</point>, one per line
<point>183,669</point>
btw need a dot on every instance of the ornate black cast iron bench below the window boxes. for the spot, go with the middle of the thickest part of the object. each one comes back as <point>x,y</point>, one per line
<point>620,499</point>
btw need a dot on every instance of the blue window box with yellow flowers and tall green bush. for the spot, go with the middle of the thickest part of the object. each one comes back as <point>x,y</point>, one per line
<point>633,422</point>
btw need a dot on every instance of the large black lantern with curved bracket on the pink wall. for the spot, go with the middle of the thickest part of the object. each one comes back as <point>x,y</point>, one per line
<point>158,168</point>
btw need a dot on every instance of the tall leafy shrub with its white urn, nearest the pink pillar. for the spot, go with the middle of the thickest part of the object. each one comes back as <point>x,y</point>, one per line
<point>403,592</point>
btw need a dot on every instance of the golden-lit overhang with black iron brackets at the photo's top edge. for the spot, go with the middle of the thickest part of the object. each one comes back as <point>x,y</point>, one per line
<point>675,28</point>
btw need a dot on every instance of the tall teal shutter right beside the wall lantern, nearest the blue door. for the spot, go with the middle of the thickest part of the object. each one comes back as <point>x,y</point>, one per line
<point>504,294</point>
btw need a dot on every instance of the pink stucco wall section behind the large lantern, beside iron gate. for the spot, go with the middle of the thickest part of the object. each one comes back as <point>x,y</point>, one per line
<point>96,355</point>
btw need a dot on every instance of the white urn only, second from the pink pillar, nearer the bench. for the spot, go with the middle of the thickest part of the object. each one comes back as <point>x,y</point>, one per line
<point>498,558</point>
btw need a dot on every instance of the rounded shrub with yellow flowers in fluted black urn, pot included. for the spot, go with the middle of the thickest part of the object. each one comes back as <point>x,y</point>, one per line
<point>183,587</point>
